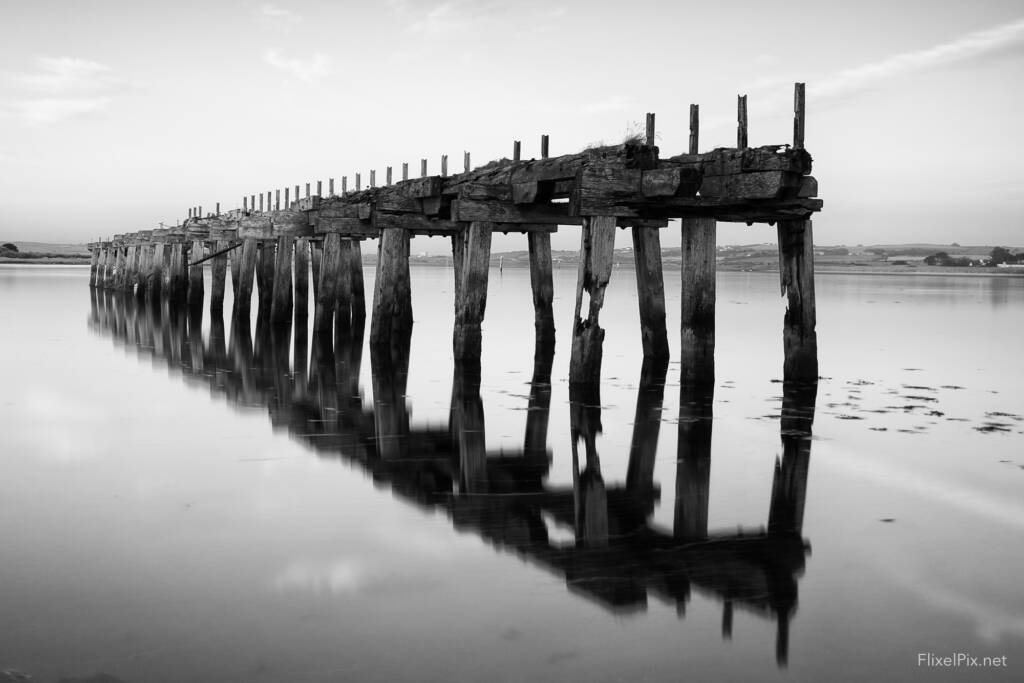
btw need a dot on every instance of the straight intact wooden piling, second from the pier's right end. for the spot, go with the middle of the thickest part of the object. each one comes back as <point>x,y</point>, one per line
<point>698,303</point>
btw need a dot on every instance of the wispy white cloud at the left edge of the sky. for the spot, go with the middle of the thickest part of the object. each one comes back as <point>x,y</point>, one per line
<point>62,89</point>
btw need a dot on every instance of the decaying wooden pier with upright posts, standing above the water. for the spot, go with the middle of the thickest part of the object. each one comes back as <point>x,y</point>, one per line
<point>278,239</point>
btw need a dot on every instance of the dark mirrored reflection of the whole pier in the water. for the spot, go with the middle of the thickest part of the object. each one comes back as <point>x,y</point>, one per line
<point>617,558</point>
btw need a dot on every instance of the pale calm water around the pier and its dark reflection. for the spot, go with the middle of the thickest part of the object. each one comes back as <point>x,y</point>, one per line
<point>207,507</point>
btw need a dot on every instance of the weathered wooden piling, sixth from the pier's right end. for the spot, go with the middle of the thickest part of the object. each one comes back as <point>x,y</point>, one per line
<point>474,293</point>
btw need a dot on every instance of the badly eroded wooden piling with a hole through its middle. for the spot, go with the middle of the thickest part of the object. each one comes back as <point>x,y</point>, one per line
<point>596,249</point>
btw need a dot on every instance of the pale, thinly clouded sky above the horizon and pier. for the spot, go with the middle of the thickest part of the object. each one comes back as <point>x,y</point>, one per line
<point>117,116</point>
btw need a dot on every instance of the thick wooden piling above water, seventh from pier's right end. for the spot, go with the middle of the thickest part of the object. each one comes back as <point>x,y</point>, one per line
<point>393,317</point>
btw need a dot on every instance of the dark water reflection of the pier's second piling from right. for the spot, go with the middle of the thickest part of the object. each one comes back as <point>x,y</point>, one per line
<point>694,462</point>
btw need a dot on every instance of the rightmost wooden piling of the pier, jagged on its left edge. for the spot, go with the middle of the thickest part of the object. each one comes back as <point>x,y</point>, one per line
<point>800,341</point>
